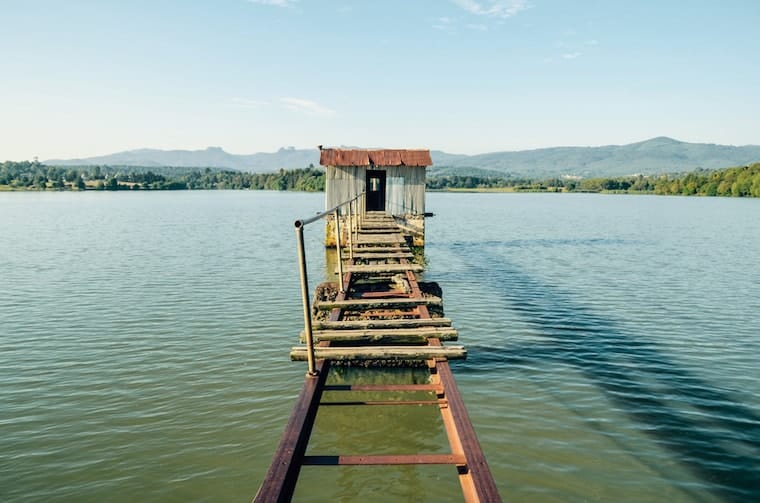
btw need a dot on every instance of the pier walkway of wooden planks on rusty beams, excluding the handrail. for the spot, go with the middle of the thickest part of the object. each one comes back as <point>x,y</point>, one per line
<point>379,314</point>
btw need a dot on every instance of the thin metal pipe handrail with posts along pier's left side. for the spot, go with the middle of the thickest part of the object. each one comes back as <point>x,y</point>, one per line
<point>356,207</point>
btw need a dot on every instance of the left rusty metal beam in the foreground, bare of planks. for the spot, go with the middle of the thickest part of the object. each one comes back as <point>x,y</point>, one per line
<point>280,480</point>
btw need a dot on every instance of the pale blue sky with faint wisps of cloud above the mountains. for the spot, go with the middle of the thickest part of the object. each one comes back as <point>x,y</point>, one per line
<point>86,78</point>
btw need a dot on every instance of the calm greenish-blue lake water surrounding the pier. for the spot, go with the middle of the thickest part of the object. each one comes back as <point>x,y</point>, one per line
<point>613,347</point>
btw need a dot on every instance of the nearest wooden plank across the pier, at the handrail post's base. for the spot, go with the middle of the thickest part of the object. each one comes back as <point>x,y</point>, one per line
<point>382,353</point>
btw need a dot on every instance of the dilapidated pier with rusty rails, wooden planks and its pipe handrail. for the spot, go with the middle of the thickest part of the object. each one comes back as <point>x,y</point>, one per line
<point>374,314</point>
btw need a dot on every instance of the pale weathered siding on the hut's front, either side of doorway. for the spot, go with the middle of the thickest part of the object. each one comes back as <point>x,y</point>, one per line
<point>344,182</point>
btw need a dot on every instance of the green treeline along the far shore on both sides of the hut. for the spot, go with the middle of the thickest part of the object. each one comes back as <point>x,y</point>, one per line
<point>32,175</point>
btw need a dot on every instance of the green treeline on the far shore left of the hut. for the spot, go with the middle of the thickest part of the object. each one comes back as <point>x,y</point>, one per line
<point>33,175</point>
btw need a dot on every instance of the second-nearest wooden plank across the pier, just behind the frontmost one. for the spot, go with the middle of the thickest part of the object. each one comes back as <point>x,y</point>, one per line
<point>385,336</point>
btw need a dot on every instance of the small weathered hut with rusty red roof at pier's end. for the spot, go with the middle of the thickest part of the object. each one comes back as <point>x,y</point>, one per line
<point>394,182</point>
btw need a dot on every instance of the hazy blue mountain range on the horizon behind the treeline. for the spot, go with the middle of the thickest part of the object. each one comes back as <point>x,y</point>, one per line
<point>655,156</point>
